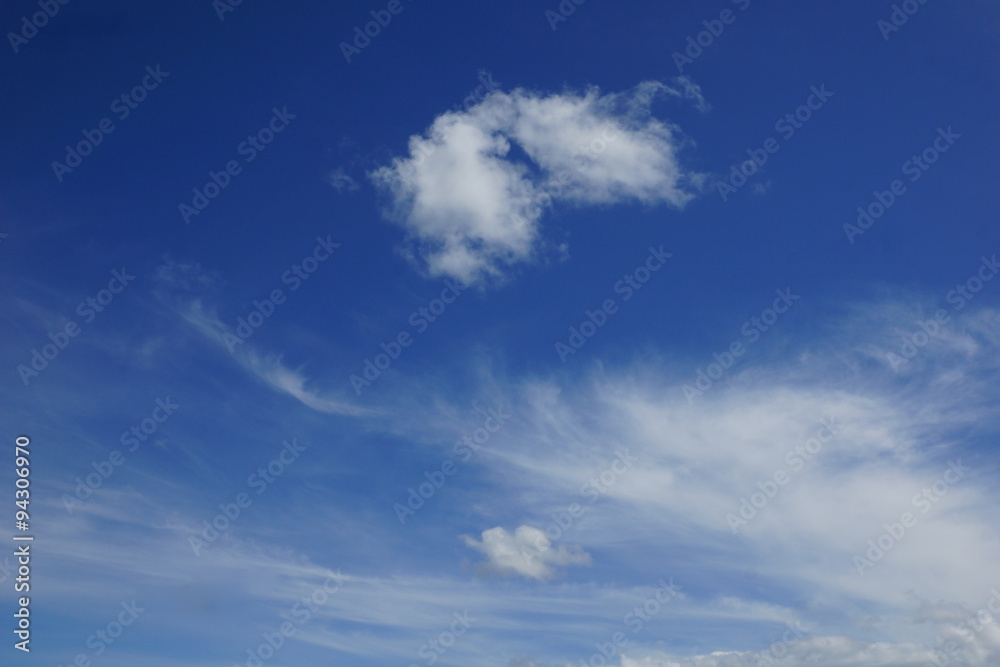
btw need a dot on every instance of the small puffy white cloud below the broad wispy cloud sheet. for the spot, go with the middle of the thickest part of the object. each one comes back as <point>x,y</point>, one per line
<point>528,553</point>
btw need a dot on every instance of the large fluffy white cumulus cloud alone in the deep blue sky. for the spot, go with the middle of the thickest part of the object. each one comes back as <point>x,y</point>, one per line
<point>473,204</point>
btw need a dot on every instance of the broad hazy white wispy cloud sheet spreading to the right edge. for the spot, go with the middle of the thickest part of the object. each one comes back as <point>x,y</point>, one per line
<point>700,460</point>
